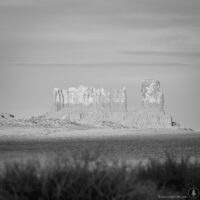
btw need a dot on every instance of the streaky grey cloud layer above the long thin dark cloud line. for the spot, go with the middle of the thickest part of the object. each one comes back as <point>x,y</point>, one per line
<point>93,31</point>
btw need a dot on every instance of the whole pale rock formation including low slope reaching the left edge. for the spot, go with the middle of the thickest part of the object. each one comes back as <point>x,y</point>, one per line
<point>90,107</point>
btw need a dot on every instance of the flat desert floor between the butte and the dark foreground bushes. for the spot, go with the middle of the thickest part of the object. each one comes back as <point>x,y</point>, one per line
<point>29,143</point>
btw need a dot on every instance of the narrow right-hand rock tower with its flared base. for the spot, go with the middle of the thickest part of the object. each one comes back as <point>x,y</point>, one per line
<point>152,114</point>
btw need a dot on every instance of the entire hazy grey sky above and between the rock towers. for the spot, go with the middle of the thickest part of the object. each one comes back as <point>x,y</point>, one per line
<point>101,43</point>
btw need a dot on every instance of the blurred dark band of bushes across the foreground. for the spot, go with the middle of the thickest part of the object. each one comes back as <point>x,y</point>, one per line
<point>89,177</point>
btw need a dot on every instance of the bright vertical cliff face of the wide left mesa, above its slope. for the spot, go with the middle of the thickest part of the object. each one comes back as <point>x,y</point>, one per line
<point>88,96</point>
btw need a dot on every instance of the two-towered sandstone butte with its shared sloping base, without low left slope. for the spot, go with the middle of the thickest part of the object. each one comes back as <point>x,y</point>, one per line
<point>91,105</point>
